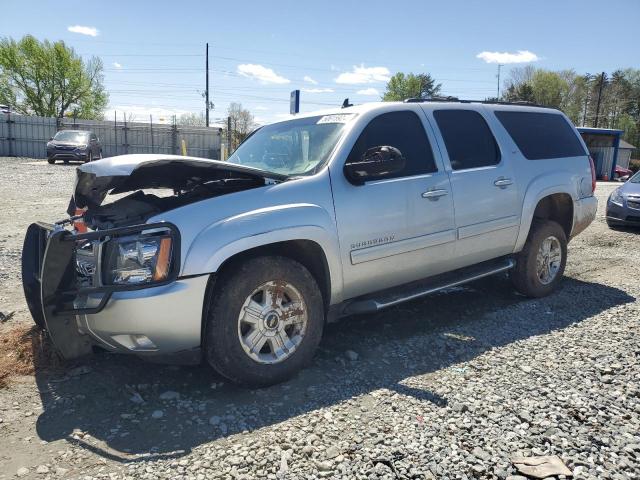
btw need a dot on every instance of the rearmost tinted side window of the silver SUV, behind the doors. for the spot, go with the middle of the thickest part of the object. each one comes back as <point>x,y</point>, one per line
<point>541,135</point>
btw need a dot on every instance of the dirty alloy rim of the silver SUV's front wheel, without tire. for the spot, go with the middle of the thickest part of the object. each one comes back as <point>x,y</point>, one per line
<point>272,322</point>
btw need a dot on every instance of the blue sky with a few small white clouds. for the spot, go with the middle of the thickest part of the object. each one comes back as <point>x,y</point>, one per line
<point>153,51</point>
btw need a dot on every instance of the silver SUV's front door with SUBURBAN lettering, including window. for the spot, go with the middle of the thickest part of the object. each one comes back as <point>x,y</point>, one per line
<point>399,228</point>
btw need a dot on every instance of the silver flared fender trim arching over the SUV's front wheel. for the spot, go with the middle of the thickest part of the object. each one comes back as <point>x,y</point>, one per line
<point>225,238</point>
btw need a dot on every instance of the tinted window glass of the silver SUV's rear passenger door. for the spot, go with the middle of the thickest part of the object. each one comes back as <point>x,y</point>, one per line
<point>469,141</point>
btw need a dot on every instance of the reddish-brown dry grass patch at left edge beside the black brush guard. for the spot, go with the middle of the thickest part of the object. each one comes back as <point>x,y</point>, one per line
<point>23,349</point>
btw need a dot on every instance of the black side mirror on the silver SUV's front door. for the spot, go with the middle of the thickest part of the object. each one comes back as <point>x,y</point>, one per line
<point>376,163</point>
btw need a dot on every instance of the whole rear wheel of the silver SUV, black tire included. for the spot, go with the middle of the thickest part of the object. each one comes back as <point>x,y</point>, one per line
<point>526,277</point>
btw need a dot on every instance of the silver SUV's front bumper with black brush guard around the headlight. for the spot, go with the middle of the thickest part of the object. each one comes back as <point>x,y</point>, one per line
<point>163,321</point>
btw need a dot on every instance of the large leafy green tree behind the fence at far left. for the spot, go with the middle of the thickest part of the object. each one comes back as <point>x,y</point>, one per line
<point>50,79</point>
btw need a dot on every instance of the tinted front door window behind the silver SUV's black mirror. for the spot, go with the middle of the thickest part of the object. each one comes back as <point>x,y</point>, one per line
<point>404,131</point>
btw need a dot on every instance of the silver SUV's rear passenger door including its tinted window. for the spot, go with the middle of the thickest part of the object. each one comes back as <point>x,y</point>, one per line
<point>485,191</point>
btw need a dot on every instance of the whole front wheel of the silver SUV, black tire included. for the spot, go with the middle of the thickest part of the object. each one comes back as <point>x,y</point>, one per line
<point>226,328</point>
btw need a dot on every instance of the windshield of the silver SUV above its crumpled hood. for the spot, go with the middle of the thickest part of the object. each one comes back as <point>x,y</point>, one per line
<point>294,147</point>
